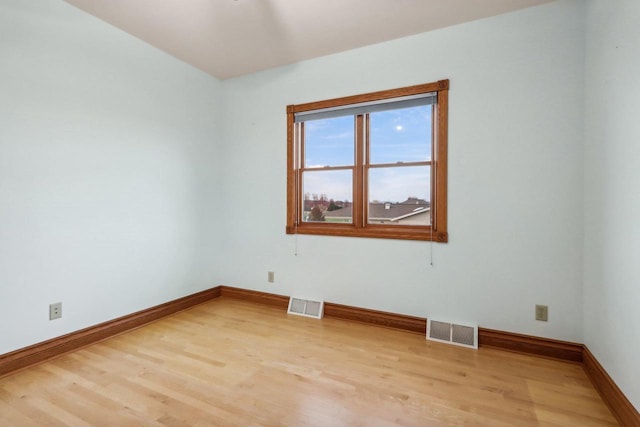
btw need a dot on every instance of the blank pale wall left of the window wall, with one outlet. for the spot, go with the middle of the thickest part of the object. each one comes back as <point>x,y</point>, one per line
<point>108,173</point>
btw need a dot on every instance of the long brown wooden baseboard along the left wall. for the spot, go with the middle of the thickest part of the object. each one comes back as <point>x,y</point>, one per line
<point>49,349</point>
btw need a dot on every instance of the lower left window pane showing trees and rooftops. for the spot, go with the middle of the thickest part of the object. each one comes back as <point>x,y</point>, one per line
<point>327,196</point>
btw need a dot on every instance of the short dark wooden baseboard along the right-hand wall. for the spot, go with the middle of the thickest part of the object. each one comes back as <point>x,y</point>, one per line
<point>620,406</point>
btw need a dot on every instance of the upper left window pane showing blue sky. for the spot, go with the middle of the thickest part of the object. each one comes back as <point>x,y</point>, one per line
<point>329,142</point>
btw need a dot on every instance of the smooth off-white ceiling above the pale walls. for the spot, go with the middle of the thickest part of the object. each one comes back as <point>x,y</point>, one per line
<point>230,38</point>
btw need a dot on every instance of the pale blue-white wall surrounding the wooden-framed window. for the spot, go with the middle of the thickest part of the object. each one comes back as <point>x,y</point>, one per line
<point>515,177</point>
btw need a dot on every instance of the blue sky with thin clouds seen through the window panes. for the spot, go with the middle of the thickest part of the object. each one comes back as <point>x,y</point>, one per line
<point>401,135</point>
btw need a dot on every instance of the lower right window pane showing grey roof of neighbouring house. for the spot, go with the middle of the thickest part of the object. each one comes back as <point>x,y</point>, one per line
<point>400,195</point>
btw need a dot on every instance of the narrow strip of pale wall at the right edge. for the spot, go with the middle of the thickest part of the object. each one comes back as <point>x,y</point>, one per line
<point>612,191</point>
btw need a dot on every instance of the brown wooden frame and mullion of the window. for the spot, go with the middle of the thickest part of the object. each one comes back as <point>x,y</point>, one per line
<point>437,231</point>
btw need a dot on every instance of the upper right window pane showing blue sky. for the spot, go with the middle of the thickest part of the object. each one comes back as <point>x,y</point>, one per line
<point>402,135</point>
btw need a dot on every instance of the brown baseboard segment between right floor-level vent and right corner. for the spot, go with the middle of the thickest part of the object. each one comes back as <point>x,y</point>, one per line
<point>555,349</point>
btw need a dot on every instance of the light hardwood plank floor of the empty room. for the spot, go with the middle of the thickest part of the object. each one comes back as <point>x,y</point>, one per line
<point>234,363</point>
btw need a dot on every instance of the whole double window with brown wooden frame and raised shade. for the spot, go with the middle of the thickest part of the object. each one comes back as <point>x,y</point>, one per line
<point>372,165</point>
